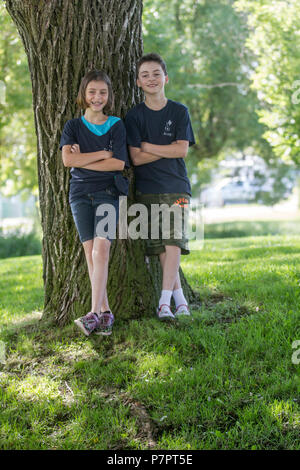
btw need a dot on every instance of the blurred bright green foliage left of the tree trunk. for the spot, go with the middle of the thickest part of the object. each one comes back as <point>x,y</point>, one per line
<point>18,170</point>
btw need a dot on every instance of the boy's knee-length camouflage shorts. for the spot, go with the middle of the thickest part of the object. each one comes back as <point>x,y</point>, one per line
<point>161,232</point>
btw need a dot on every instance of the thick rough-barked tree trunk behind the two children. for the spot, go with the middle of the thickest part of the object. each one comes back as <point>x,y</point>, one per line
<point>63,40</point>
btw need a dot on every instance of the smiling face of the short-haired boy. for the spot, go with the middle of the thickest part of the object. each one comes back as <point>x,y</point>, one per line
<point>151,77</point>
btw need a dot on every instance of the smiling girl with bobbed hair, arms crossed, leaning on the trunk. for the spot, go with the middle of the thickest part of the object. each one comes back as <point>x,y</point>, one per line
<point>94,146</point>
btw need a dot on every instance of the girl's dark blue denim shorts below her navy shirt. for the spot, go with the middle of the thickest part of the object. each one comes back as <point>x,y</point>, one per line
<point>96,214</point>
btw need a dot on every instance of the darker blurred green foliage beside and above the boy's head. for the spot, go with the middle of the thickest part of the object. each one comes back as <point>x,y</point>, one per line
<point>203,44</point>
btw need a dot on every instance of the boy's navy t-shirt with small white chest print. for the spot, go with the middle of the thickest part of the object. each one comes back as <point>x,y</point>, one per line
<point>167,175</point>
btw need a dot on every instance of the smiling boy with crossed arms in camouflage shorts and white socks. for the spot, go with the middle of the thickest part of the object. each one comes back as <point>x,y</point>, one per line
<point>159,133</point>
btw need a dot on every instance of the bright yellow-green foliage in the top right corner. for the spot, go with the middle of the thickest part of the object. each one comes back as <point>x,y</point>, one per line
<point>276,43</point>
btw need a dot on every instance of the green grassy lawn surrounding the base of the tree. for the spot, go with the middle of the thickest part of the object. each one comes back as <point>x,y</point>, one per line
<point>223,379</point>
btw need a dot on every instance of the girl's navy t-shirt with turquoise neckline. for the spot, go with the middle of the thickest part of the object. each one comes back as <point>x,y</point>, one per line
<point>91,137</point>
